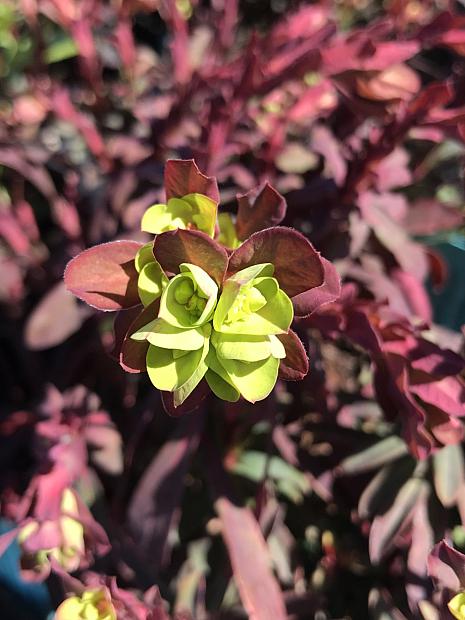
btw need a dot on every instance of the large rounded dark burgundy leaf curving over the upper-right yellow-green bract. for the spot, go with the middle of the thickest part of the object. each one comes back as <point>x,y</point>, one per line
<point>298,266</point>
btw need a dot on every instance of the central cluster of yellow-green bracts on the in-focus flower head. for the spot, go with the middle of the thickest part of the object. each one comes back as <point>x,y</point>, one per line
<point>228,336</point>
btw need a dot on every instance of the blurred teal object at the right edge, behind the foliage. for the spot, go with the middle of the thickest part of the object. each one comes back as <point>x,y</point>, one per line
<point>449,303</point>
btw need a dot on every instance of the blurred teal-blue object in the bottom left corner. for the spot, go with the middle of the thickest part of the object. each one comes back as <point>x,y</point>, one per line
<point>20,600</point>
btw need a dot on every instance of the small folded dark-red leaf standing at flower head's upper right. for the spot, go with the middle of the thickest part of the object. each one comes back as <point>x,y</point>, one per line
<point>260,208</point>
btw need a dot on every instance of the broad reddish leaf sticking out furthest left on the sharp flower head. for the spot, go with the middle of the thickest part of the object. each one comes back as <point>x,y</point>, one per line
<point>105,276</point>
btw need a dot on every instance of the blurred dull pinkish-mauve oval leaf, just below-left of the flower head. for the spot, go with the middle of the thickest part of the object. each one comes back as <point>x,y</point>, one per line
<point>54,319</point>
